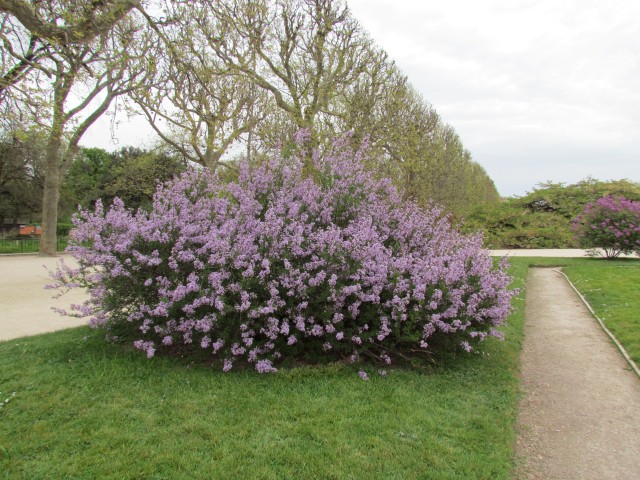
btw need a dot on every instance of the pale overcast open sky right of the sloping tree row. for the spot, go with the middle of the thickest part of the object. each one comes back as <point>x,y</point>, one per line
<point>537,89</point>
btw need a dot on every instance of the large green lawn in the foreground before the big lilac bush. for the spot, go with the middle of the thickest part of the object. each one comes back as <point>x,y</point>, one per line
<point>86,409</point>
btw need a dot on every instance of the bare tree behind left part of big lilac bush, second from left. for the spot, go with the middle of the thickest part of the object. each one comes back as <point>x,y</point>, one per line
<point>194,102</point>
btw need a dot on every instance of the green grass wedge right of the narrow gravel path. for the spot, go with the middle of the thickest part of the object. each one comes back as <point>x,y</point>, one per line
<point>613,291</point>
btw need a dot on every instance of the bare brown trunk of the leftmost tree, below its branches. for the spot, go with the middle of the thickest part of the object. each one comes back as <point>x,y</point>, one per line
<point>48,239</point>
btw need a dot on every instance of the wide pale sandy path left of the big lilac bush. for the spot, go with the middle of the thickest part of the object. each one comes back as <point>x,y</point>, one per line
<point>25,305</point>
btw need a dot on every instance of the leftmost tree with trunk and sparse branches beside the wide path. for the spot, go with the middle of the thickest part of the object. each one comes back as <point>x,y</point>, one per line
<point>69,89</point>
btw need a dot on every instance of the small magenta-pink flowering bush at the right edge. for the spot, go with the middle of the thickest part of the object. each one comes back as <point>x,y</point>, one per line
<point>610,223</point>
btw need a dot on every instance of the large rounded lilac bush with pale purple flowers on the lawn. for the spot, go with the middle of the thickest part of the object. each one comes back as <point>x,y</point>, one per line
<point>282,264</point>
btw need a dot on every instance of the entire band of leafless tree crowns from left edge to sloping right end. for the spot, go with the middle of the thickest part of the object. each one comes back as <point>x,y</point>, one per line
<point>213,75</point>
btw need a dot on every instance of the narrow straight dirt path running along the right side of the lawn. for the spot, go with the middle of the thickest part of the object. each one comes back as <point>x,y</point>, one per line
<point>580,415</point>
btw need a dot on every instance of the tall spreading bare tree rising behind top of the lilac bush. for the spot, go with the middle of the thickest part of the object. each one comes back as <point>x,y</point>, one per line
<point>303,53</point>
